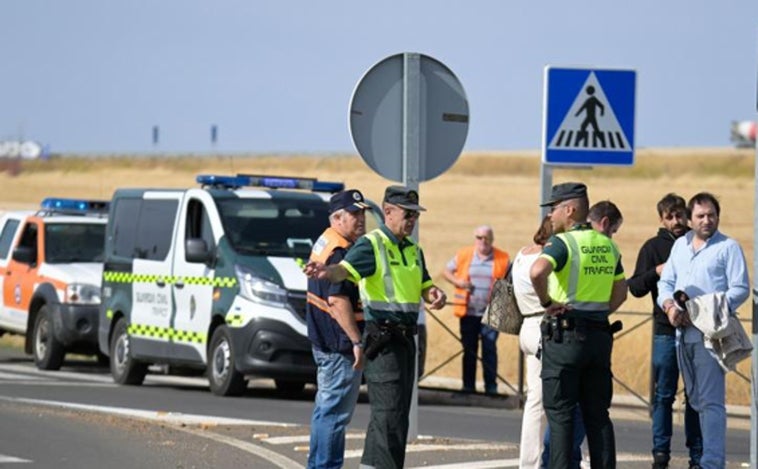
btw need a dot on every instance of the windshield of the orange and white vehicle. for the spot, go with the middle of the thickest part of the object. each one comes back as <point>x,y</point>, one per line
<point>74,242</point>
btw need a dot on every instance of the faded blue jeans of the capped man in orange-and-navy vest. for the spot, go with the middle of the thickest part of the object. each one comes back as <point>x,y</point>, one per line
<point>338,387</point>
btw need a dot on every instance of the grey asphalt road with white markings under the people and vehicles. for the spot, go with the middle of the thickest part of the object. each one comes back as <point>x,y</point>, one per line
<point>77,417</point>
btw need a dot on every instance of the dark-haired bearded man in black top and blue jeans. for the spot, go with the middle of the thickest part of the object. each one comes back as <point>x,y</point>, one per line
<point>672,212</point>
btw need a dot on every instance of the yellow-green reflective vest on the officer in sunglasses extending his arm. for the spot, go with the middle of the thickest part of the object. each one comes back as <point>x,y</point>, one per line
<point>395,286</point>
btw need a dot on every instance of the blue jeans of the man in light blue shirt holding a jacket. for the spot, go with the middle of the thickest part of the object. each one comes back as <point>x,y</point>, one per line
<point>704,382</point>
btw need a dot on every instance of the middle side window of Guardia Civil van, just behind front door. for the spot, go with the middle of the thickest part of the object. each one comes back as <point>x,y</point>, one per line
<point>156,227</point>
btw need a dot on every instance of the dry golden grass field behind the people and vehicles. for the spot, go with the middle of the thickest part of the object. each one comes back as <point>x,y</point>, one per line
<point>500,189</point>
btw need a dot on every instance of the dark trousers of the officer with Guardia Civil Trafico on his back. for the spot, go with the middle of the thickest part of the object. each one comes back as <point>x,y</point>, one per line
<point>578,370</point>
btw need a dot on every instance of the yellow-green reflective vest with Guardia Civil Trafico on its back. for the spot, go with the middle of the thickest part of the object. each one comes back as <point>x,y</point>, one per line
<point>586,281</point>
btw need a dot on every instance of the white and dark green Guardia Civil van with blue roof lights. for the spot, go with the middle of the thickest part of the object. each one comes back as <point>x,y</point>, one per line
<point>211,278</point>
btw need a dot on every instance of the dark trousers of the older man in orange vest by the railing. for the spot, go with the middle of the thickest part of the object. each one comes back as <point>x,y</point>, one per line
<point>471,330</point>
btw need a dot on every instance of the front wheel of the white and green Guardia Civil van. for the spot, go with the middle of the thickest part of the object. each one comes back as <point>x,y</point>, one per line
<point>223,376</point>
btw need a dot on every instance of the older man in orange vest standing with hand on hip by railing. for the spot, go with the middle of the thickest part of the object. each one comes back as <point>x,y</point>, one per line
<point>473,270</point>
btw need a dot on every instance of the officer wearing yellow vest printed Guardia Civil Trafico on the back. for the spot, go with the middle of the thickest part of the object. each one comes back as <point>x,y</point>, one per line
<point>587,284</point>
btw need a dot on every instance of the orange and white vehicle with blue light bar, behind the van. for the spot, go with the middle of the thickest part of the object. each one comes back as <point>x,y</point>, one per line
<point>52,262</point>
